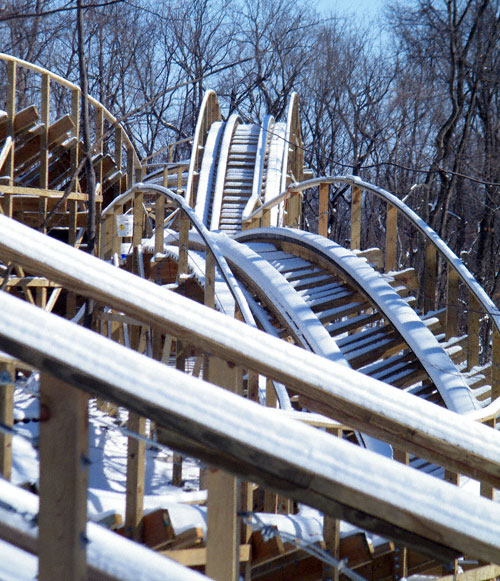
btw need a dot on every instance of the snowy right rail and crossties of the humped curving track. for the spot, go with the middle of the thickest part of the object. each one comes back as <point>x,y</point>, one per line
<point>376,330</point>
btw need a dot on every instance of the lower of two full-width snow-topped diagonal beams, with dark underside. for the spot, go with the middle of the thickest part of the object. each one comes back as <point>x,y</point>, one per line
<point>233,433</point>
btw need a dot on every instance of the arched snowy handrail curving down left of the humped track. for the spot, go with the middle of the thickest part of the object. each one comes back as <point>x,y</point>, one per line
<point>202,230</point>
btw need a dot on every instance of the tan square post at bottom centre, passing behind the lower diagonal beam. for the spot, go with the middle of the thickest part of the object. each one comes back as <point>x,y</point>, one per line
<point>223,534</point>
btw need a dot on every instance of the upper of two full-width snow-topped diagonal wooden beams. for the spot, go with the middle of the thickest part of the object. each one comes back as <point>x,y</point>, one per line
<point>357,400</point>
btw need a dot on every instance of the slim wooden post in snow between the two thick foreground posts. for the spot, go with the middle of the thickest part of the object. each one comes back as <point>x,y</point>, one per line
<point>136,457</point>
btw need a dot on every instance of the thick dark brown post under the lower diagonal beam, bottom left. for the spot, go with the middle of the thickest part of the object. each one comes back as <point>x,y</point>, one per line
<point>64,463</point>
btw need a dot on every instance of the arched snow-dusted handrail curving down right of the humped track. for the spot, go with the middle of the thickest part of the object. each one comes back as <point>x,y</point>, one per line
<point>463,272</point>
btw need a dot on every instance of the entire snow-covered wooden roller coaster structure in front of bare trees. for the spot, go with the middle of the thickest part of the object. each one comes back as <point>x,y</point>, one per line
<point>373,353</point>
